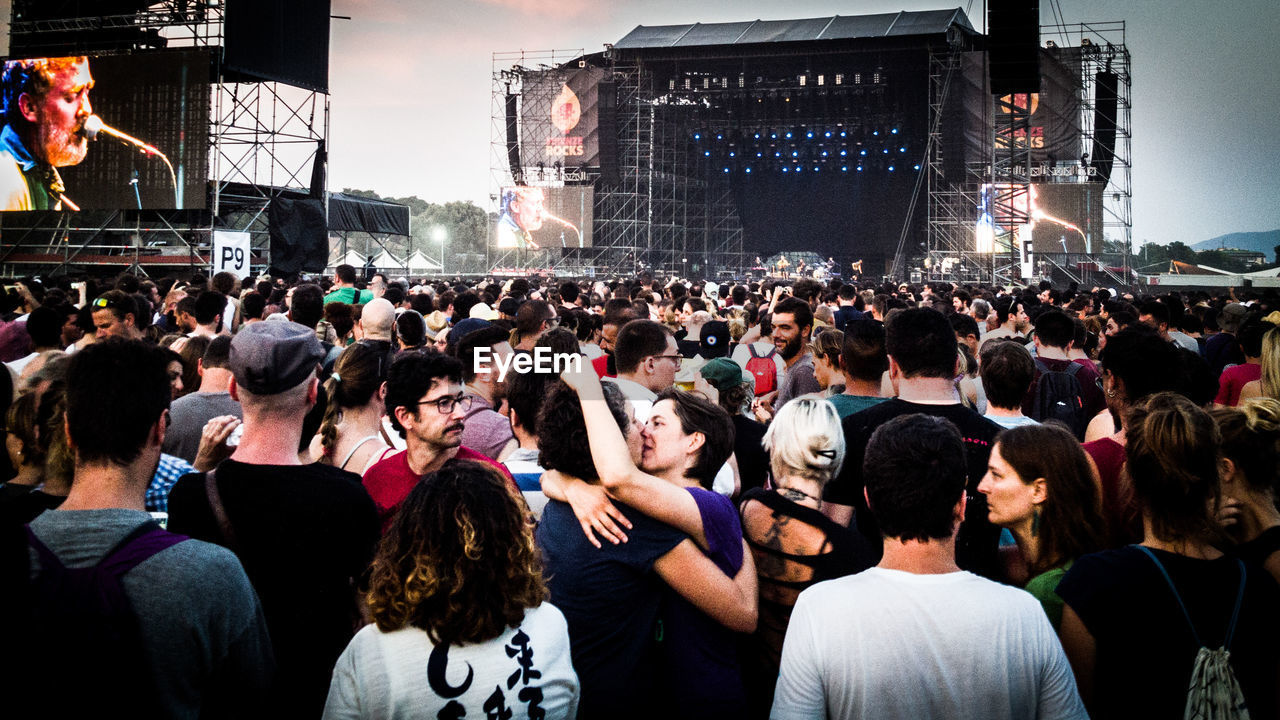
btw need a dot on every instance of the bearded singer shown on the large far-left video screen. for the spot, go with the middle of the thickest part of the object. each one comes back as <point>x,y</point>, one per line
<point>45,108</point>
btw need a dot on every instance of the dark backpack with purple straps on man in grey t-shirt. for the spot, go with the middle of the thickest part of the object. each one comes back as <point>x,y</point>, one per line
<point>84,631</point>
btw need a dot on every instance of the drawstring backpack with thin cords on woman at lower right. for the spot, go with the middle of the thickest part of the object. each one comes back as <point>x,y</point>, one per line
<point>1214,691</point>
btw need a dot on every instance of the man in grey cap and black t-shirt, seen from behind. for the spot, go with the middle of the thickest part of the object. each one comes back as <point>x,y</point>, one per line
<point>305,534</point>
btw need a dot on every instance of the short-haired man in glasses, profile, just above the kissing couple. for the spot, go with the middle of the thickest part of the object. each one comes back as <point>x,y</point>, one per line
<point>648,359</point>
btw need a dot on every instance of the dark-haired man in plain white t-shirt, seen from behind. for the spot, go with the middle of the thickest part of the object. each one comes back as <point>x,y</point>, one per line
<point>917,637</point>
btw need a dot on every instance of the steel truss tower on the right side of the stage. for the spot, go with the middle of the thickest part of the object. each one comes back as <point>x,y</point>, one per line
<point>958,252</point>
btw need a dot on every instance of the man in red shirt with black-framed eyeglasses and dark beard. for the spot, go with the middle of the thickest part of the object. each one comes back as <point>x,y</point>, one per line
<point>427,407</point>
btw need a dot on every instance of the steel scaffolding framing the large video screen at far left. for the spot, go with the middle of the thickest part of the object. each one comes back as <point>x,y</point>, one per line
<point>262,136</point>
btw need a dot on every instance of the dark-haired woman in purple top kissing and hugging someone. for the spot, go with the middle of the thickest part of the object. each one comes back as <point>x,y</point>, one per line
<point>687,441</point>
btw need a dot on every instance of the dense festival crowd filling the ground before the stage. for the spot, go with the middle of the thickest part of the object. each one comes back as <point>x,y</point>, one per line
<point>369,498</point>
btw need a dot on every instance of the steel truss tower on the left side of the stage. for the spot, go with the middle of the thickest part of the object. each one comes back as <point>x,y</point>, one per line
<point>661,213</point>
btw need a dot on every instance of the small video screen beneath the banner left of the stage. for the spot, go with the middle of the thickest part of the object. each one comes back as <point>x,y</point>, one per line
<point>542,218</point>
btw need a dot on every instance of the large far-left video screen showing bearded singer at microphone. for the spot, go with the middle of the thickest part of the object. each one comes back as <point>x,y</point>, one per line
<point>106,133</point>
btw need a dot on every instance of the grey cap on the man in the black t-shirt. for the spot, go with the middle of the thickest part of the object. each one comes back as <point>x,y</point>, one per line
<point>272,358</point>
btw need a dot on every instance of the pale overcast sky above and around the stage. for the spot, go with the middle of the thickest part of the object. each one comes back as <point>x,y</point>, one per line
<point>412,93</point>
